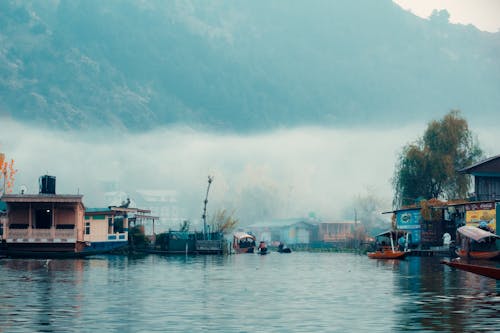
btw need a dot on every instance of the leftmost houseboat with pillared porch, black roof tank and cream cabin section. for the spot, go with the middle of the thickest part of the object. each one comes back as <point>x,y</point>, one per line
<point>54,225</point>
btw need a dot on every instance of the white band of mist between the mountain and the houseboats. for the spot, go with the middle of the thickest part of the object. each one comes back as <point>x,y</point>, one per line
<point>281,173</point>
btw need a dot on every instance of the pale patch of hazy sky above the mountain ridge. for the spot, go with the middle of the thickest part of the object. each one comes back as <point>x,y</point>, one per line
<point>484,14</point>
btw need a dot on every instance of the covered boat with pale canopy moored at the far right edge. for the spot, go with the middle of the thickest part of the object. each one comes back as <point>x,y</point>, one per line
<point>476,243</point>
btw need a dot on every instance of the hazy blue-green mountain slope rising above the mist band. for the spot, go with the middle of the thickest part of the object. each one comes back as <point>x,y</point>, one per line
<point>239,65</point>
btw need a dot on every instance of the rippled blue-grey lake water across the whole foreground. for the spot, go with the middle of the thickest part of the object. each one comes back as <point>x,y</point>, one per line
<point>297,292</point>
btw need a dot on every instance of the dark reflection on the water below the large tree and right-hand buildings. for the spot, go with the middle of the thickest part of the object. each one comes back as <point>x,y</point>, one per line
<point>439,298</point>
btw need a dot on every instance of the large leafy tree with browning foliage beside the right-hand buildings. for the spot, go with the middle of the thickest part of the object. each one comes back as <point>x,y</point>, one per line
<point>428,168</point>
